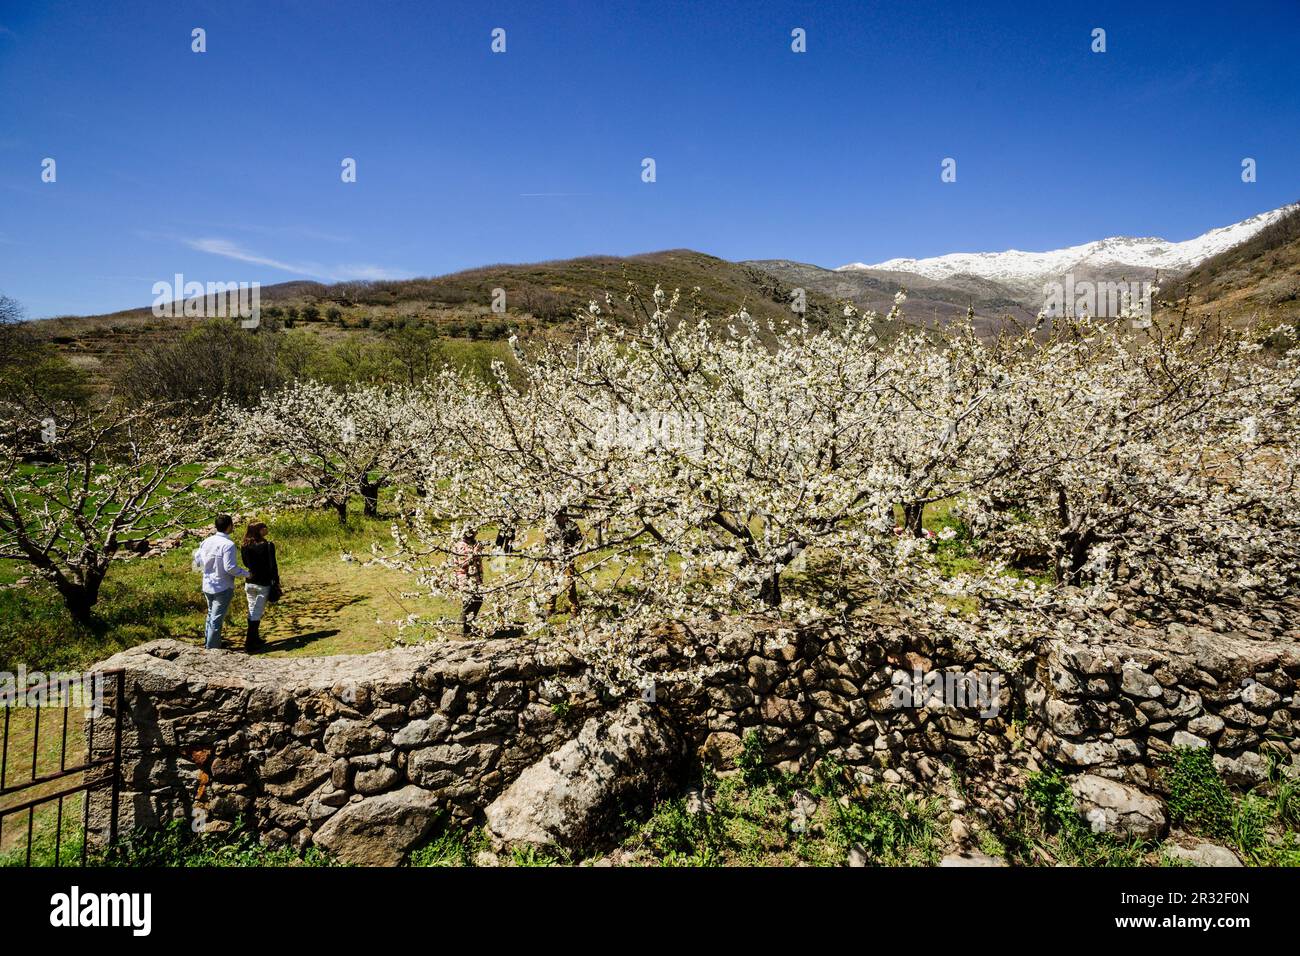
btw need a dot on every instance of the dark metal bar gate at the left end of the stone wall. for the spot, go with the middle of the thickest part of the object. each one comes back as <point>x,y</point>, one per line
<point>28,791</point>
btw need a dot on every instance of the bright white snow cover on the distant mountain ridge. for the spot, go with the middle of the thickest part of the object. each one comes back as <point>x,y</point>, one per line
<point>1026,274</point>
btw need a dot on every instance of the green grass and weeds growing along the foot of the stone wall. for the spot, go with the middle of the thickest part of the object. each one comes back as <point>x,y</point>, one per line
<point>746,819</point>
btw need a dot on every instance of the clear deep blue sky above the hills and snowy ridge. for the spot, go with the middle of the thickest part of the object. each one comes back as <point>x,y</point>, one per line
<point>226,166</point>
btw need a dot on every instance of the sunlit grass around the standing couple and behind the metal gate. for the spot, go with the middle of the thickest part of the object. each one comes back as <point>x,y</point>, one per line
<point>331,607</point>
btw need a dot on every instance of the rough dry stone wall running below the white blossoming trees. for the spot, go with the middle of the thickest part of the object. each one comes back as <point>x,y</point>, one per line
<point>366,756</point>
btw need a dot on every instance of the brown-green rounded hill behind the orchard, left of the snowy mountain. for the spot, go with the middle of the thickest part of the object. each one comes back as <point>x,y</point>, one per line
<point>543,302</point>
